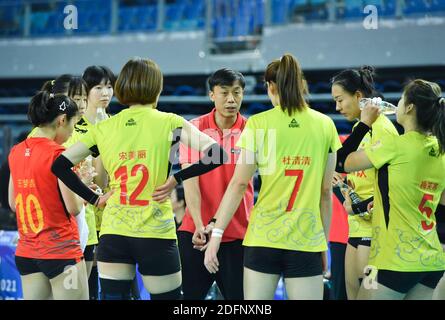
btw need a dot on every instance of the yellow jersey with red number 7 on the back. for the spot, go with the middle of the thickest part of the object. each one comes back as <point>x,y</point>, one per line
<point>291,154</point>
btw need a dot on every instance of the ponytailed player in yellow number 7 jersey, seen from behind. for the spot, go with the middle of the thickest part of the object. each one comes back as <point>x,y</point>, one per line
<point>294,149</point>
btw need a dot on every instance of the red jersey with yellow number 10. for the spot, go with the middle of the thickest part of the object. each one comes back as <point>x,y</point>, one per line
<point>46,229</point>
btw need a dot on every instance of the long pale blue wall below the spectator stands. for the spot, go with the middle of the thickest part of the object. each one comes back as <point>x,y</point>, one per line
<point>328,46</point>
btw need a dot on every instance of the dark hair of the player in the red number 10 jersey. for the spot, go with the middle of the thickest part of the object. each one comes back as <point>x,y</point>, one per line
<point>45,107</point>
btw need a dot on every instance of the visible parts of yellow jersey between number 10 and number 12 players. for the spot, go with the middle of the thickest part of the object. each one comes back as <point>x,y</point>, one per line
<point>80,129</point>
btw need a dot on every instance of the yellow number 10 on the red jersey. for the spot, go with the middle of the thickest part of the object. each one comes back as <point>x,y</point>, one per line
<point>31,200</point>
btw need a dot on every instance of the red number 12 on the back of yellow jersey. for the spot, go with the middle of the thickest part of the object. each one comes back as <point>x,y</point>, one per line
<point>122,174</point>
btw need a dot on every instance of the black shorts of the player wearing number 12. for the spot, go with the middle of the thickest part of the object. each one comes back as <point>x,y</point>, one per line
<point>154,257</point>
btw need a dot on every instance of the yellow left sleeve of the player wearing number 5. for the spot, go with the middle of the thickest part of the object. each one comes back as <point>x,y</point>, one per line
<point>383,151</point>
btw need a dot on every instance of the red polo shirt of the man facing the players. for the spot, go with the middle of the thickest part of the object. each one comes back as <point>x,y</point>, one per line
<point>213,184</point>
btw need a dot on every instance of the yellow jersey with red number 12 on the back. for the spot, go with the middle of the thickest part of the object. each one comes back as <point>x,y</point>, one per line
<point>135,147</point>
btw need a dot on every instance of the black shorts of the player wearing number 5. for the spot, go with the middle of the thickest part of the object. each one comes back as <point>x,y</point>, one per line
<point>404,281</point>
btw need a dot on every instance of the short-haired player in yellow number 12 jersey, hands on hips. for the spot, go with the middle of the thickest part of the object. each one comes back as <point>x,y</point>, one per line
<point>138,226</point>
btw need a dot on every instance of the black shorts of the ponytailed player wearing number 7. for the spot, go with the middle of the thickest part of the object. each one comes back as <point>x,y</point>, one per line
<point>289,263</point>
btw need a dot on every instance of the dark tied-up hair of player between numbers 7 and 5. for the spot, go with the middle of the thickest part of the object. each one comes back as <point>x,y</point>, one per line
<point>353,80</point>
